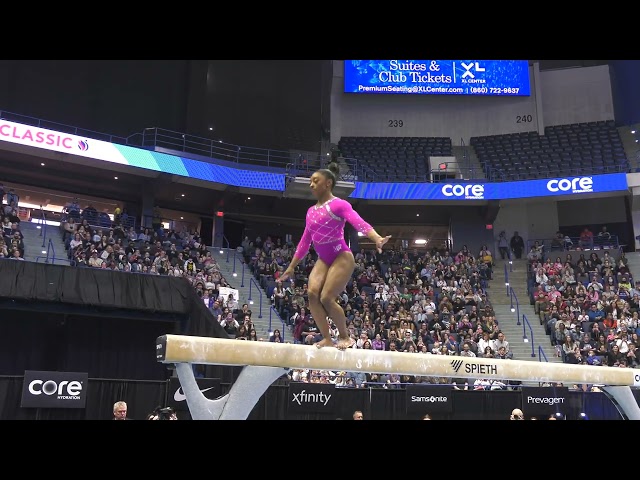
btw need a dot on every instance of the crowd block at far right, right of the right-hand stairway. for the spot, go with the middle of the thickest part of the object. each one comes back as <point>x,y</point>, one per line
<point>588,305</point>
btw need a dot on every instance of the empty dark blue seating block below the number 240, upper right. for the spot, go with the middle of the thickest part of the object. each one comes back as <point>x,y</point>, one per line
<point>564,150</point>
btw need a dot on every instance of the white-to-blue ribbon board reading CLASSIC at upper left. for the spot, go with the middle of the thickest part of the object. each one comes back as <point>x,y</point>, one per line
<point>137,157</point>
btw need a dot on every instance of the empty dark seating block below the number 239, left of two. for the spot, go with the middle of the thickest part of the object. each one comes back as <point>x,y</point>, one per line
<point>396,158</point>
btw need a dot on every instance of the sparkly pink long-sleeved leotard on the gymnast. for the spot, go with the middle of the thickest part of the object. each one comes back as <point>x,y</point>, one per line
<point>325,228</point>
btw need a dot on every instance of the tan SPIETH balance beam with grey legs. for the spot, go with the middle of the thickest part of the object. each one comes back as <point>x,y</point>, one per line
<point>269,361</point>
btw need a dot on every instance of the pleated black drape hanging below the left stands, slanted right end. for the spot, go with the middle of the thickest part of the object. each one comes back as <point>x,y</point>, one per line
<point>107,293</point>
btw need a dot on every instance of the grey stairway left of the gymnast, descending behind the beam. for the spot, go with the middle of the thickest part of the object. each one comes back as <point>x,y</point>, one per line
<point>250,292</point>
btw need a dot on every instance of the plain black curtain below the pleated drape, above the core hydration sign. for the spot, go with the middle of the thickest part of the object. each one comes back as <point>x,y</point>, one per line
<point>103,347</point>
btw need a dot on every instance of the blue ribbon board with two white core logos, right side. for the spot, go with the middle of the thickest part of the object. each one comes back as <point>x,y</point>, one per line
<point>547,187</point>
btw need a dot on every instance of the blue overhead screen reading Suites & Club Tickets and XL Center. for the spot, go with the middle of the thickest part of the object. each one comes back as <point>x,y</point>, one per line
<point>438,77</point>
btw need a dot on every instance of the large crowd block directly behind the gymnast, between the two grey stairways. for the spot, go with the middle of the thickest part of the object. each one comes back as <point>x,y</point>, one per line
<point>430,302</point>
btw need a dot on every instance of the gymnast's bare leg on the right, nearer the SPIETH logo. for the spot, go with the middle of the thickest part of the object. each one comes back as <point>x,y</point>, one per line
<point>335,282</point>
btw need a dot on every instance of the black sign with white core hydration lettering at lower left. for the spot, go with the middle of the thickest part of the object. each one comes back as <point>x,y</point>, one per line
<point>54,389</point>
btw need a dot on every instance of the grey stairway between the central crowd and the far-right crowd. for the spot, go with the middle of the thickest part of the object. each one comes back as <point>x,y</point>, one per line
<point>508,320</point>
